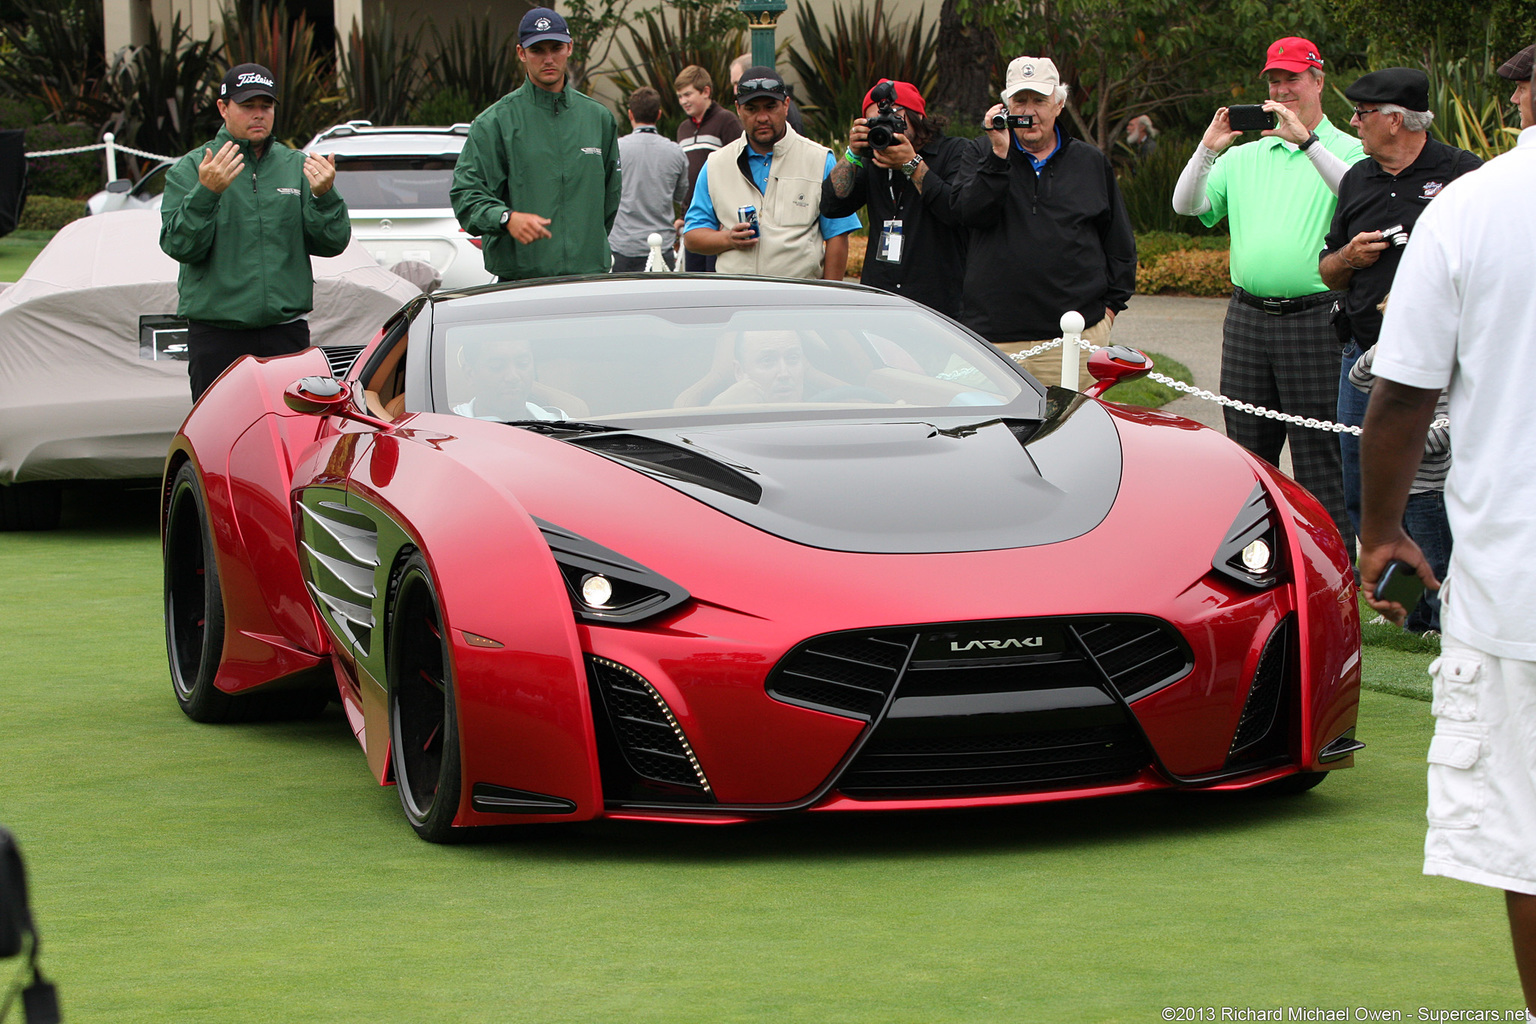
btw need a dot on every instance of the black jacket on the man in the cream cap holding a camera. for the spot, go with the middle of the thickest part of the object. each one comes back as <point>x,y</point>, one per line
<point>1045,245</point>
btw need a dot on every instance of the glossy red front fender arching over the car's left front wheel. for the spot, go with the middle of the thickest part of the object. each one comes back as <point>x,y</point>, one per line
<point>518,669</point>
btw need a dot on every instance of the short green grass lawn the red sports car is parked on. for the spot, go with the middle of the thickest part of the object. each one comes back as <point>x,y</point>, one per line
<point>211,874</point>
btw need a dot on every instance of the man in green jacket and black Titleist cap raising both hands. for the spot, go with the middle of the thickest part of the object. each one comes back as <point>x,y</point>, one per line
<point>243,216</point>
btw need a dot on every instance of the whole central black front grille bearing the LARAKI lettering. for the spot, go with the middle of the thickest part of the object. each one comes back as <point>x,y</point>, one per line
<point>988,707</point>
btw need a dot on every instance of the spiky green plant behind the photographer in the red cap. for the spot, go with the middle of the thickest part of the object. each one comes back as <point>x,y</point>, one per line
<point>839,67</point>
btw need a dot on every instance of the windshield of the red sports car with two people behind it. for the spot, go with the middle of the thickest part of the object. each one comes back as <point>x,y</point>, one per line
<point>710,363</point>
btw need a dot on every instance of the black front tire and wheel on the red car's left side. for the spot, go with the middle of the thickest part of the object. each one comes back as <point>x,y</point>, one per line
<point>425,736</point>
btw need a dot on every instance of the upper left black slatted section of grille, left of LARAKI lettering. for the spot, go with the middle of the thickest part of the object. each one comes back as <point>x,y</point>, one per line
<point>846,673</point>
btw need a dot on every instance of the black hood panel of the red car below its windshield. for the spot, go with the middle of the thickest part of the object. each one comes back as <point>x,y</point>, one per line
<point>899,486</point>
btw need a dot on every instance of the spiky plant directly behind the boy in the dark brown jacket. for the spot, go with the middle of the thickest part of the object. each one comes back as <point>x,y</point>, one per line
<point>704,38</point>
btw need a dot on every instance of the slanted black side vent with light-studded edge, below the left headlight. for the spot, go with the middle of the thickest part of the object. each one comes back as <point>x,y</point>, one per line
<point>644,728</point>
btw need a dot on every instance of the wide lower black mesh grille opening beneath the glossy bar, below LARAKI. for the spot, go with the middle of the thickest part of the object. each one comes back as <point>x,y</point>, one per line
<point>941,767</point>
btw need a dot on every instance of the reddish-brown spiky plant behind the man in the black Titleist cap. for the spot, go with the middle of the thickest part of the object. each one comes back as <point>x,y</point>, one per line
<point>285,45</point>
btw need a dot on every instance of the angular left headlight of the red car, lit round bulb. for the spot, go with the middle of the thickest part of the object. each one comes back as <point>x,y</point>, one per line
<point>604,586</point>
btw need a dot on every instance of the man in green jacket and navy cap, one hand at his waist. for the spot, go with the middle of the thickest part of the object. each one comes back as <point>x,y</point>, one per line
<point>538,177</point>
